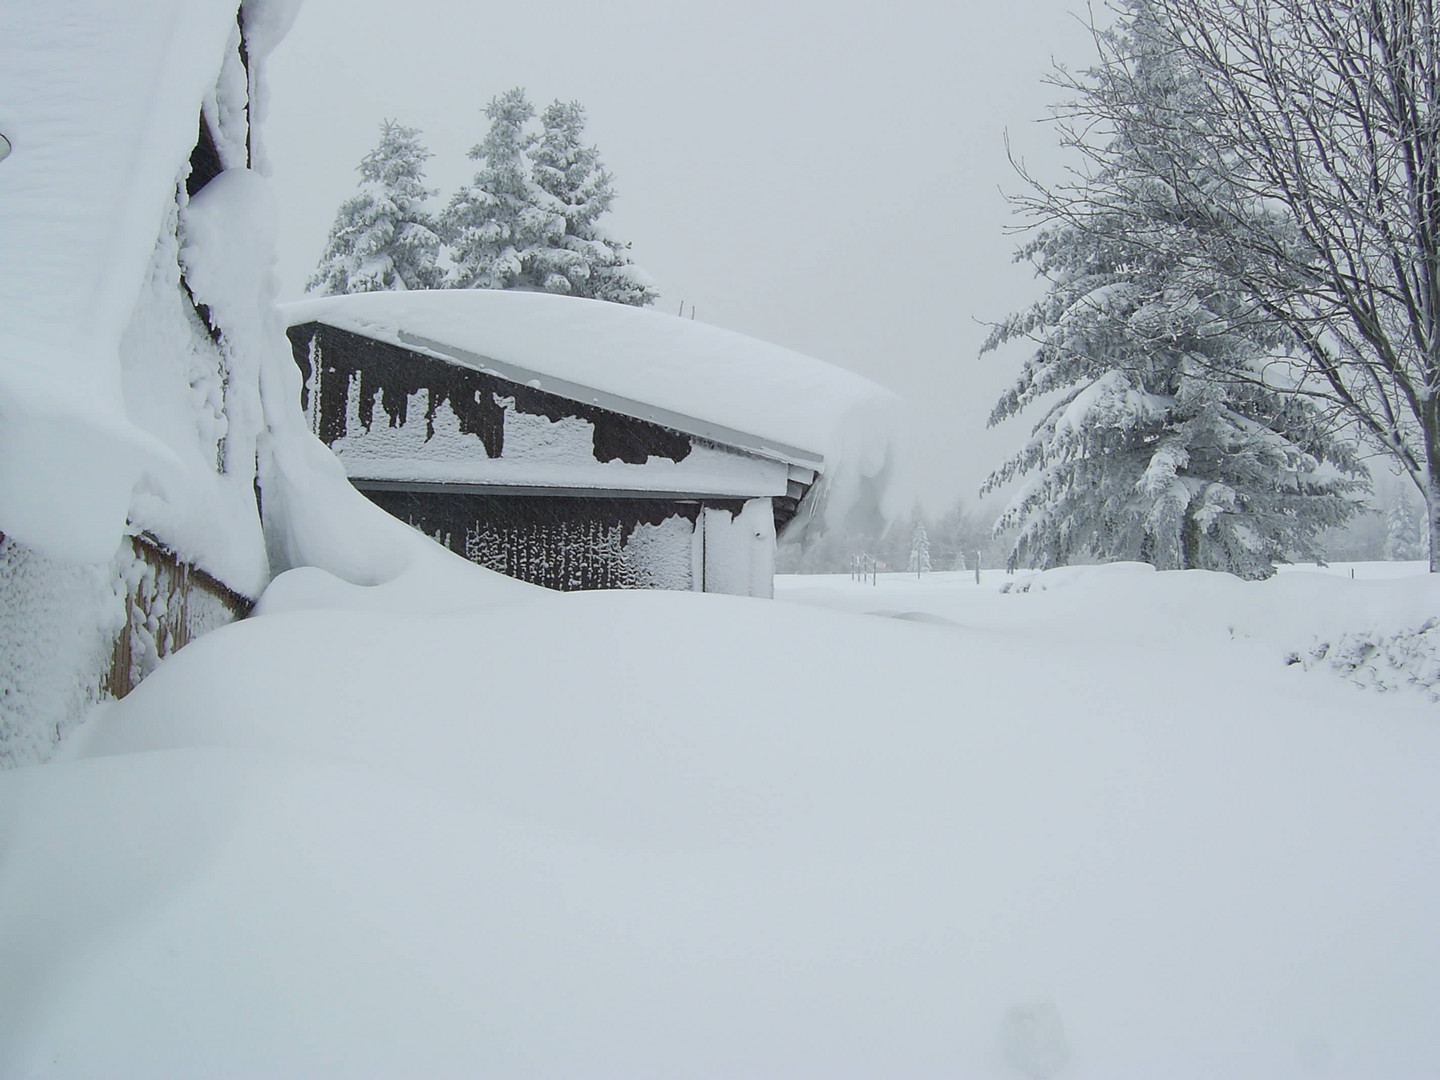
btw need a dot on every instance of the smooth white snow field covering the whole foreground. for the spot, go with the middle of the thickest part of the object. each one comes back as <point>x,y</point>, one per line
<point>454,827</point>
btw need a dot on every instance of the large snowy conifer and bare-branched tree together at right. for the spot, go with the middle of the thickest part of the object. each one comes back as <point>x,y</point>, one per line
<point>1243,284</point>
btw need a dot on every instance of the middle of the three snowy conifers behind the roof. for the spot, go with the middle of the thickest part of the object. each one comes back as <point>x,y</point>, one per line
<point>496,227</point>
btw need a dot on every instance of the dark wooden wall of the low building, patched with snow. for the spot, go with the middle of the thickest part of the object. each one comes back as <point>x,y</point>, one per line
<point>561,538</point>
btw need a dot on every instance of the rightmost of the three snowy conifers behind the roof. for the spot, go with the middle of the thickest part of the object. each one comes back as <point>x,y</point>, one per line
<point>584,261</point>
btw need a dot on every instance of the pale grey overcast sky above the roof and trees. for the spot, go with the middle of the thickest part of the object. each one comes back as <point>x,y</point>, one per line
<point>819,174</point>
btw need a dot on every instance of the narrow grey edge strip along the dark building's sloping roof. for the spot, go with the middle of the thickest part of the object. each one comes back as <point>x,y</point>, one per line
<point>627,407</point>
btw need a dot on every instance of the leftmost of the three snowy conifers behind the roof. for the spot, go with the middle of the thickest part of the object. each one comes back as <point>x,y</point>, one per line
<point>384,238</point>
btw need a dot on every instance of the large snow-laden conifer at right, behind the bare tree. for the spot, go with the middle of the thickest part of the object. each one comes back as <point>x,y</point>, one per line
<point>1163,440</point>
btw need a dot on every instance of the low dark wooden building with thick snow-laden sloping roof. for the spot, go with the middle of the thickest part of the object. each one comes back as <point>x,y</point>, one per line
<point>585,446</point>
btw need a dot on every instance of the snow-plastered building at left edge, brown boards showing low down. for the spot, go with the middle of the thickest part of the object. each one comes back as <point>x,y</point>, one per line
<point>139,328</point>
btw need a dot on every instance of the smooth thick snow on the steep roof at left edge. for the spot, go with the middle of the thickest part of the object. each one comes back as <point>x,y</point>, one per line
<point>102,104</point>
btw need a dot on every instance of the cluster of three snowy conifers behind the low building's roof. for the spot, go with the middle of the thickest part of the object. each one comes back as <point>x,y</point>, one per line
<point>529,220</point>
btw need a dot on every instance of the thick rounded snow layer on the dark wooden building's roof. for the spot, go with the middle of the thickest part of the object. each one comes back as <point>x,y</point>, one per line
<point>670,371</point>
